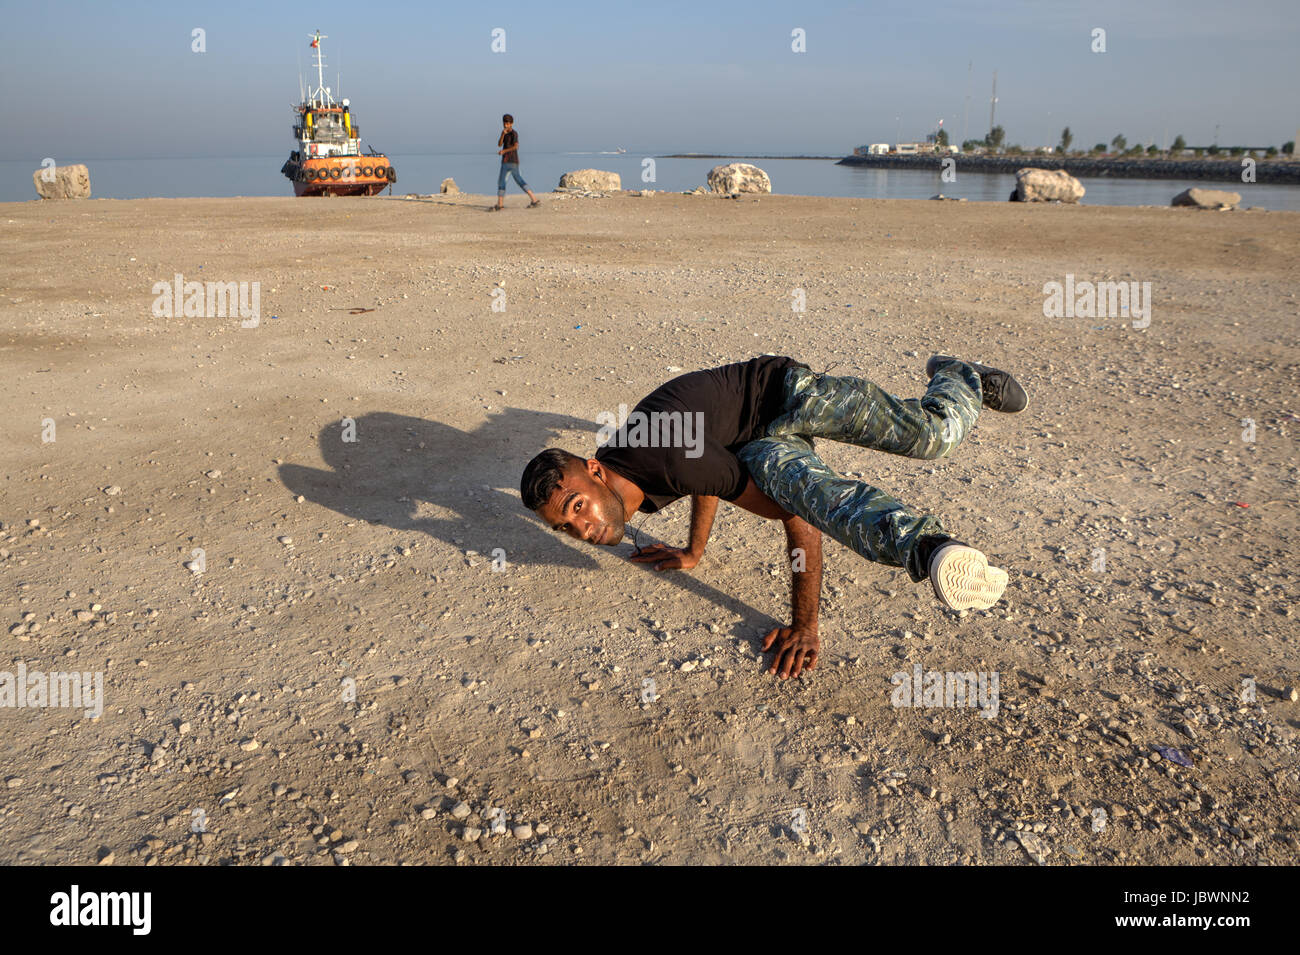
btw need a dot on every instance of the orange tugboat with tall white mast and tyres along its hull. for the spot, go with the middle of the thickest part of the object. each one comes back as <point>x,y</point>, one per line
<point>330,160</point>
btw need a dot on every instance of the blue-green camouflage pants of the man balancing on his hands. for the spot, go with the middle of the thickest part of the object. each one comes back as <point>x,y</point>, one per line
<point>857,413</point>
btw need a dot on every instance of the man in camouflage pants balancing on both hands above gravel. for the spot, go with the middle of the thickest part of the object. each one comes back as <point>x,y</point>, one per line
<point>744,433</point>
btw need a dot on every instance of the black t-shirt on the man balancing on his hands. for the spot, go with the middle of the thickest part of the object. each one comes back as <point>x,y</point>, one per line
<point>682,439</point>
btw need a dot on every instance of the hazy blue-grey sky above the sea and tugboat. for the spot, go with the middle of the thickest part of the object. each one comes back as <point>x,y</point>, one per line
<point>83,81</point>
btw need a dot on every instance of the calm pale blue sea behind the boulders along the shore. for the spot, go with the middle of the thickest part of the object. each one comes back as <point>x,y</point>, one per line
<point>478,173</point>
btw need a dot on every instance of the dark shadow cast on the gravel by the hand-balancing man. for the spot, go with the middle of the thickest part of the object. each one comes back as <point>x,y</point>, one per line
<point>398,463</point>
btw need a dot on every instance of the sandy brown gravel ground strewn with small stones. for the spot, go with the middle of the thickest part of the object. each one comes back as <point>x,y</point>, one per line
<point>513,679</point>
